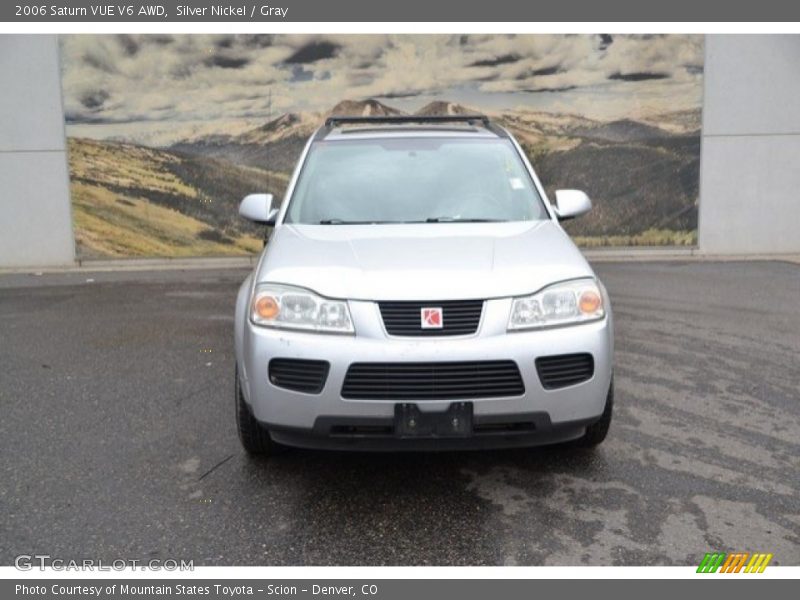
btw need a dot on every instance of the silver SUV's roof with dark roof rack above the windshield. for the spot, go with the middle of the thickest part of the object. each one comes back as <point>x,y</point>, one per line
<point>398,126</point>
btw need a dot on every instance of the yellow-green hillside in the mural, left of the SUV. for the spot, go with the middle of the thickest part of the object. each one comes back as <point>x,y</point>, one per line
<point>130,200</point>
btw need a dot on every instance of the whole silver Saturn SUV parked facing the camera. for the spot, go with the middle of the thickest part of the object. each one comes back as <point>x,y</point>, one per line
<point>418,292</point>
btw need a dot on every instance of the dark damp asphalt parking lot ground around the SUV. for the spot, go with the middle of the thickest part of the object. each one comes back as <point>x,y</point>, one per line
<point>117,437</point>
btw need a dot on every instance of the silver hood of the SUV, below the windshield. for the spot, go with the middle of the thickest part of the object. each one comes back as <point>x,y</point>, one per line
<point>436,261</point>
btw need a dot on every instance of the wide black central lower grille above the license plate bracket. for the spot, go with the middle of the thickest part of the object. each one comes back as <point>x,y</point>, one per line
<point>433,381</point>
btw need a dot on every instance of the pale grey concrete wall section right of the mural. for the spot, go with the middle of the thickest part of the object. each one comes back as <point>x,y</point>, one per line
<point>750,162</point>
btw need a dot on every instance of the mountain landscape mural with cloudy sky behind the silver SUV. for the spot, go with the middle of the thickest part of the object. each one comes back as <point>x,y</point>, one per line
<point>167,133</point>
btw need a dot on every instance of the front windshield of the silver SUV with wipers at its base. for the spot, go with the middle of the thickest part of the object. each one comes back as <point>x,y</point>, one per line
<point>414,180</point>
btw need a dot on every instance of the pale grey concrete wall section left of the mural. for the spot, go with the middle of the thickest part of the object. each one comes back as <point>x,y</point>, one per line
<point>35,216</point>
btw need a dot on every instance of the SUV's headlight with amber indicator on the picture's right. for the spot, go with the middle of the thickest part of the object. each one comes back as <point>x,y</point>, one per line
<point>565,303</point>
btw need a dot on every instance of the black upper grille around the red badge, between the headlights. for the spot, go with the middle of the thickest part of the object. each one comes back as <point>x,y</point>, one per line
<point>459,317</point>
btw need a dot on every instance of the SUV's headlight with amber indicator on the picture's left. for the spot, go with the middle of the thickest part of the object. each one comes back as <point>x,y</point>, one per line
<point>276,305</point>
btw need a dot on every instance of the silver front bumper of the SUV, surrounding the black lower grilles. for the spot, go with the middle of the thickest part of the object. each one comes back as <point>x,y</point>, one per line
<point>324,419</point>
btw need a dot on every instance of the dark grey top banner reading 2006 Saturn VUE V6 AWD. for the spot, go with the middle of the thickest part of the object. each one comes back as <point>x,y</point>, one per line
<point>463,11</point>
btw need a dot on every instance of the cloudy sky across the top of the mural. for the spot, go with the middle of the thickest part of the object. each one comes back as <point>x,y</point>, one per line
<point>118,81</point>
